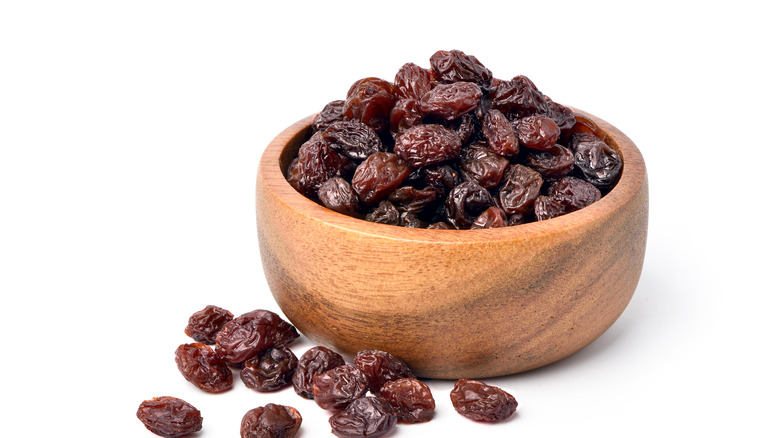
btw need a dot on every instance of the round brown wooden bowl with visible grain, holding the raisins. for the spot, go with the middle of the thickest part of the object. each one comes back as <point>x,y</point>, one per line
<point>452,303</point>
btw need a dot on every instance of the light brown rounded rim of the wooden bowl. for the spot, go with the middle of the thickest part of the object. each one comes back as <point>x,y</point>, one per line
<point>271,179</point>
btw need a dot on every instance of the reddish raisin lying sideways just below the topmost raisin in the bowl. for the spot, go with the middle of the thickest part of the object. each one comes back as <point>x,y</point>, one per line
<point>451,101</point>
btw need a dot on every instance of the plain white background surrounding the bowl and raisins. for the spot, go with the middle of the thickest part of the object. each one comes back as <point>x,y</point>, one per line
<point>130,133</point>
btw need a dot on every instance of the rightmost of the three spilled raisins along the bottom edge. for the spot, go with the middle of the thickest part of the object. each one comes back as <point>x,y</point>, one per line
<point>369,417</point>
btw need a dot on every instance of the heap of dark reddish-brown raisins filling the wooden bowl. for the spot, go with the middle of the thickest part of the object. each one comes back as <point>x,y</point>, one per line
<point>452,147</point>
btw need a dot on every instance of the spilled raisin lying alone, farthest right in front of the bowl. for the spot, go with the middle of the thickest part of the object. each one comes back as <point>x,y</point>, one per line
<point>481,402</point>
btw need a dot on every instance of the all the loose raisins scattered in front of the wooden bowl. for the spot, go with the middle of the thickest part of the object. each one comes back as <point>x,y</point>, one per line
<point>366,398</point>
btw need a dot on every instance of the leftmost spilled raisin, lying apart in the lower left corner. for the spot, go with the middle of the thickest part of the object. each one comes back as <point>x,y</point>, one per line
<point>169,417</point>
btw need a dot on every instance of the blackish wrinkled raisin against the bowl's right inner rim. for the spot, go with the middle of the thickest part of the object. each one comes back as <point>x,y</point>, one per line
<point>598,163</point>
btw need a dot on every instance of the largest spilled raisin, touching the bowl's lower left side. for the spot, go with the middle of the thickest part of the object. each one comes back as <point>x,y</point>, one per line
<point>251,333</point>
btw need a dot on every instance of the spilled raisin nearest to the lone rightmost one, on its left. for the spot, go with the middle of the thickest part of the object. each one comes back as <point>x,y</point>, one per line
<point>411,399</point>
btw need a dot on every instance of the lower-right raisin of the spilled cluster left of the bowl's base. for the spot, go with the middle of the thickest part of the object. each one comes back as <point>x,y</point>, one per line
<point>270,370</point>
